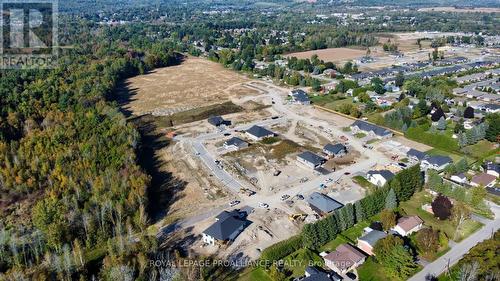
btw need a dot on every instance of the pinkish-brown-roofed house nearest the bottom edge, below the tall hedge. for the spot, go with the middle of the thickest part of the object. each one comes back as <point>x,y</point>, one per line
<point>344,258</point>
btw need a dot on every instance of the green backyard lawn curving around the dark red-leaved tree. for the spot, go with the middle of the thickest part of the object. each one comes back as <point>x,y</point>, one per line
<point>413,207</point>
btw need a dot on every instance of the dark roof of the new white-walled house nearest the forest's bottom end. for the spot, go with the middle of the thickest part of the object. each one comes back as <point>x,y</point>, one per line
<point>226,224</point>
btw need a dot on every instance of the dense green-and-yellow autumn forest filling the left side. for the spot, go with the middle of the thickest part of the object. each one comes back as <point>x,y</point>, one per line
<point>73,191</point>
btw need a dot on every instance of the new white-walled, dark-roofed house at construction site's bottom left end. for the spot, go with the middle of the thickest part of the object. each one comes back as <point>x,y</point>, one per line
<point>228,225</point>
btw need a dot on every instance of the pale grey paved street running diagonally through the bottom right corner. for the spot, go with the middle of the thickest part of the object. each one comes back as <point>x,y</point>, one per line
<point>460,249</point>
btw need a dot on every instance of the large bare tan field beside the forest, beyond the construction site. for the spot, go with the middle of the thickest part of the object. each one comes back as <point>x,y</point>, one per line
<point>196,82</point>
